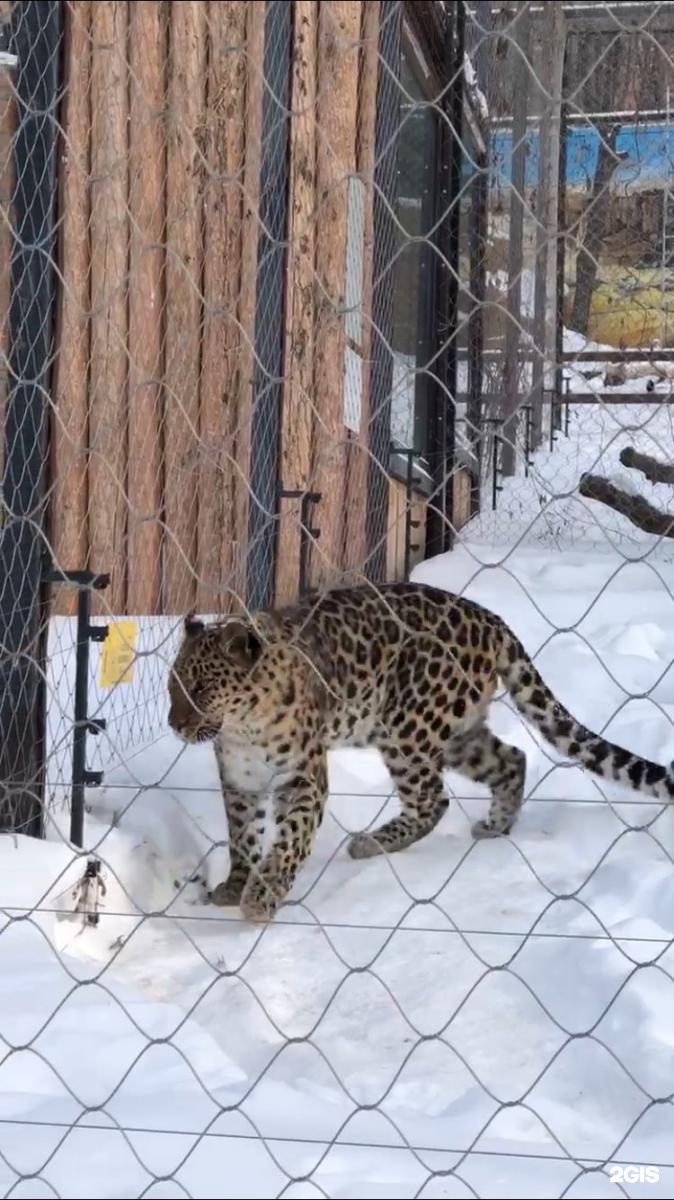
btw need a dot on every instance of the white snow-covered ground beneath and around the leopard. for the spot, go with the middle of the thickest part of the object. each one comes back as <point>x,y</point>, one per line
<point>464,1019</point>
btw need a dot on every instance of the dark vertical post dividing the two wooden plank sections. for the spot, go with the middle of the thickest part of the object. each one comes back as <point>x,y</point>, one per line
<point>268,382</point>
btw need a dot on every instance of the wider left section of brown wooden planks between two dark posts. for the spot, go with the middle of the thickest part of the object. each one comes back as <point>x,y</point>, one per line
<point>159,233</point>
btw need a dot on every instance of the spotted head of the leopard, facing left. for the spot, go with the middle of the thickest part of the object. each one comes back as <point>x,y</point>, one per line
<point>212,681</point>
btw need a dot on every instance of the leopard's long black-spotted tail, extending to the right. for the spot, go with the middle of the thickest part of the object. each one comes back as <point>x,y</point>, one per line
<point>538,704</point>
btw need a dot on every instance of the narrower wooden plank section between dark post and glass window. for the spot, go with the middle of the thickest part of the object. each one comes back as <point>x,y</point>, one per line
<point>333,141</point>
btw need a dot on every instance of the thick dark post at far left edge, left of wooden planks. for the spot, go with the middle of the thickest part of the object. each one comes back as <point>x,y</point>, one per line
<point>37,41</point>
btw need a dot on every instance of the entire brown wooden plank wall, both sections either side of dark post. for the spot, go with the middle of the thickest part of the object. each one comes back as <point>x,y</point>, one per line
<point>159,242</point>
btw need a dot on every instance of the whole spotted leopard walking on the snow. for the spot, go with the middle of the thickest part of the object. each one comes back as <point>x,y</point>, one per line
<point>406,669</point>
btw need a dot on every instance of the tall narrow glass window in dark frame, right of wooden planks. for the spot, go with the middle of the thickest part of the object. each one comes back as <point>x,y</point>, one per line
<point>413,275</point>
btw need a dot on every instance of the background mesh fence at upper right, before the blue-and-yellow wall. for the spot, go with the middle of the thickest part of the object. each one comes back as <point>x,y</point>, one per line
<point>577,269</point>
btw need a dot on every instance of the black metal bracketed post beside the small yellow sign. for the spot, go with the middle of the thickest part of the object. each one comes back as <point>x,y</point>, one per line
<point>82,778</point>
